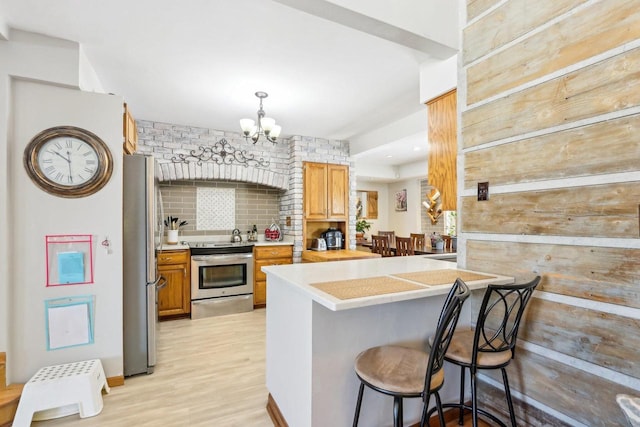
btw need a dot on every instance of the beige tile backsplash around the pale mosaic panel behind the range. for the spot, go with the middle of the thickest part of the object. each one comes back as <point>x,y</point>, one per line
<point>255,204</point>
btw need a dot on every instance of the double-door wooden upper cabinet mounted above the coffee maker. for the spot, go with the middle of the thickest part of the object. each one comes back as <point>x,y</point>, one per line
<point>326,191</point>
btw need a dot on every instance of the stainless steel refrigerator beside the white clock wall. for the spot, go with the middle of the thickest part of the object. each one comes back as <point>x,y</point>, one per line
<point>142,228</point>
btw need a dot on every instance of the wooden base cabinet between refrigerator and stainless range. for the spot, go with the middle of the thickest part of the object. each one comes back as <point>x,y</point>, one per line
<point>174,299</point>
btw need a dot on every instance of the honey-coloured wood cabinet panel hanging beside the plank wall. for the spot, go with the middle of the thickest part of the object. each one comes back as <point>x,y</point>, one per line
<point>443,148</point>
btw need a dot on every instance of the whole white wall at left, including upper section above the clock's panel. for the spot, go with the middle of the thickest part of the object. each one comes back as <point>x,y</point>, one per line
<point>29,214</point>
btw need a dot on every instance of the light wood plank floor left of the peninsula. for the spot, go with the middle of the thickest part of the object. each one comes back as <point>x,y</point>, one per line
<point>210,372</point>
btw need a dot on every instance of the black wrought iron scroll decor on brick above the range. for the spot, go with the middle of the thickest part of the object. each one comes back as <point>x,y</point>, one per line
<point>221,153</point>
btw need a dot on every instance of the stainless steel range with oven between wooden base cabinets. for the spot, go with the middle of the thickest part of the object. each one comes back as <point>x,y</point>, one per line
<point>221,278</point>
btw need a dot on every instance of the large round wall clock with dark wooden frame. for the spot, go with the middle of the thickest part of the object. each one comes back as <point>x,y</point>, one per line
<point>68,161</point>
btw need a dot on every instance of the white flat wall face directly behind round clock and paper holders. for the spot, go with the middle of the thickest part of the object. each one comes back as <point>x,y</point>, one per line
<point>36,214</point>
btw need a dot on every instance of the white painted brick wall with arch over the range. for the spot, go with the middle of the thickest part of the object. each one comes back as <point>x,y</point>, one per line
<point>165,140</point>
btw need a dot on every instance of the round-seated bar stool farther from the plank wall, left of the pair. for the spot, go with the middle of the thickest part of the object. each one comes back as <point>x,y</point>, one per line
<point>404,372</point>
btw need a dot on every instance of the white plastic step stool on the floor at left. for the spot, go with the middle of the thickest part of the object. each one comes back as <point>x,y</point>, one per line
<point>61,390</point>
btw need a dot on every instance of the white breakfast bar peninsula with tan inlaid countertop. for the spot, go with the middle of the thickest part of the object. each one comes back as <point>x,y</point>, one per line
<point>321,315</point>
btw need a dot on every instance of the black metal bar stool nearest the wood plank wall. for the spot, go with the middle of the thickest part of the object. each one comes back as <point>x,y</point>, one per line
<point>491,344</point>
